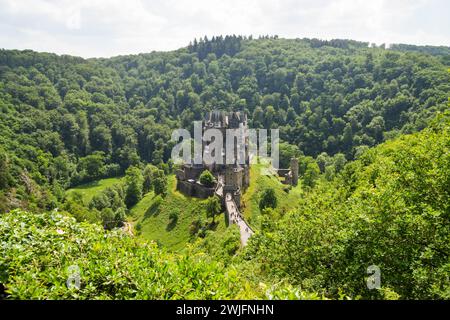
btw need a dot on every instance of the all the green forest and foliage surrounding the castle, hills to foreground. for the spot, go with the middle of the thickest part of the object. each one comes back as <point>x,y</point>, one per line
<point>368,124</point>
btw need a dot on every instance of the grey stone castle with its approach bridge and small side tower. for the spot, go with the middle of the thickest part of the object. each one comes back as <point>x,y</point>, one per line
<point>232,177</point>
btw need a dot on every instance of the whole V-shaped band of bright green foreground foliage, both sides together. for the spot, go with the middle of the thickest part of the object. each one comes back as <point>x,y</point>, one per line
<point>391,203</point>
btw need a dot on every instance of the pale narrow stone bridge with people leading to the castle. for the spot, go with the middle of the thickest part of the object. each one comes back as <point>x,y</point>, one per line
<point>234,215</point>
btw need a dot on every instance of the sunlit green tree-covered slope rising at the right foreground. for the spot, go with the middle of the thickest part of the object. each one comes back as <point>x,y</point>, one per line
<point>390,208</point>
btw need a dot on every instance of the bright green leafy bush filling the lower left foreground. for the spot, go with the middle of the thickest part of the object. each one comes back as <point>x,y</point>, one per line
<point>38,251</point>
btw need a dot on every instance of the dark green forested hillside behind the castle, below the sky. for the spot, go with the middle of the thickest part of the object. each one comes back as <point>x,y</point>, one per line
<point>70,121</point>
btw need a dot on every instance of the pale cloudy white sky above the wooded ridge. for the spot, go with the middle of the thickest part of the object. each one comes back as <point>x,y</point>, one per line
<point>105,28</point>
